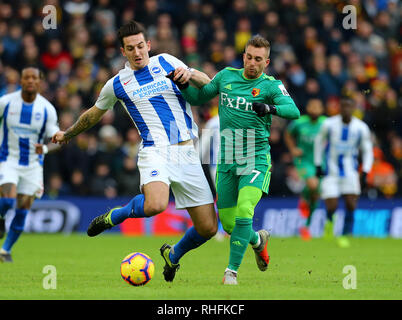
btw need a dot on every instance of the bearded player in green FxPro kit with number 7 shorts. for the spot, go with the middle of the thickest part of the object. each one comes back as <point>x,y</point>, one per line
<point>247,100</point>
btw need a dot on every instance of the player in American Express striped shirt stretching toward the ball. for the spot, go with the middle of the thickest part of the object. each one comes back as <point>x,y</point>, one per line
<point>167,157</point>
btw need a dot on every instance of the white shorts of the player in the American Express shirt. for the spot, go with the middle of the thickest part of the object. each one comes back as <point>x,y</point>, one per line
<point>180,168</point>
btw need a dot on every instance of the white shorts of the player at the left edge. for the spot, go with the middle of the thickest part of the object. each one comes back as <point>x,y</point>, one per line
<point>29,180</point>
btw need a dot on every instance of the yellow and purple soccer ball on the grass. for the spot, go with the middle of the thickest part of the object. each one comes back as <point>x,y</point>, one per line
<point>137,269</point>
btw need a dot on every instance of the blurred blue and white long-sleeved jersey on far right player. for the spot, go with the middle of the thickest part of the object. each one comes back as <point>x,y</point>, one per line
<point>339,144</point>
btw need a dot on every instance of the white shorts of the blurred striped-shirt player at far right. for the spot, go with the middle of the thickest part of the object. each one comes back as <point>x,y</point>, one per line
<point>334,186</point>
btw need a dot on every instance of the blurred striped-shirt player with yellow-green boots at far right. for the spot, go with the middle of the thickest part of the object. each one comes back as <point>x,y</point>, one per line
<point>338,142</point>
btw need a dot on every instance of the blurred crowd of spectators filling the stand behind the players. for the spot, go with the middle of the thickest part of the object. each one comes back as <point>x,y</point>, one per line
<point>311,52</point>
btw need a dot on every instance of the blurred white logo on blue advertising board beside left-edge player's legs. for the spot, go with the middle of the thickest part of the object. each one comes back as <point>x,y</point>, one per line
<point>50,216</point>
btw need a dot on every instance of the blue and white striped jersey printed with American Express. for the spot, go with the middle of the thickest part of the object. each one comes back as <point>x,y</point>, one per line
<point>152,101</point>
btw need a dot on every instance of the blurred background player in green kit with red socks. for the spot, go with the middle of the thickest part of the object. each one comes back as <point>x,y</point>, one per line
<point>299,138</point>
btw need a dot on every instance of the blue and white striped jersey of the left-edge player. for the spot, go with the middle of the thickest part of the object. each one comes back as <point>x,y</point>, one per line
<point>24,124</point>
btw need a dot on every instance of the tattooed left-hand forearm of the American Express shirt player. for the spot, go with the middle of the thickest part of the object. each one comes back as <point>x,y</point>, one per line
<point>87,120</point>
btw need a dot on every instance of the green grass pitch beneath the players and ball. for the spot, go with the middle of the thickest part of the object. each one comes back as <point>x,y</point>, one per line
<point>89,268</point>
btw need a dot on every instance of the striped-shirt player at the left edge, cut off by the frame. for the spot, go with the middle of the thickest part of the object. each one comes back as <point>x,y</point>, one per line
<point>27,119</point>
